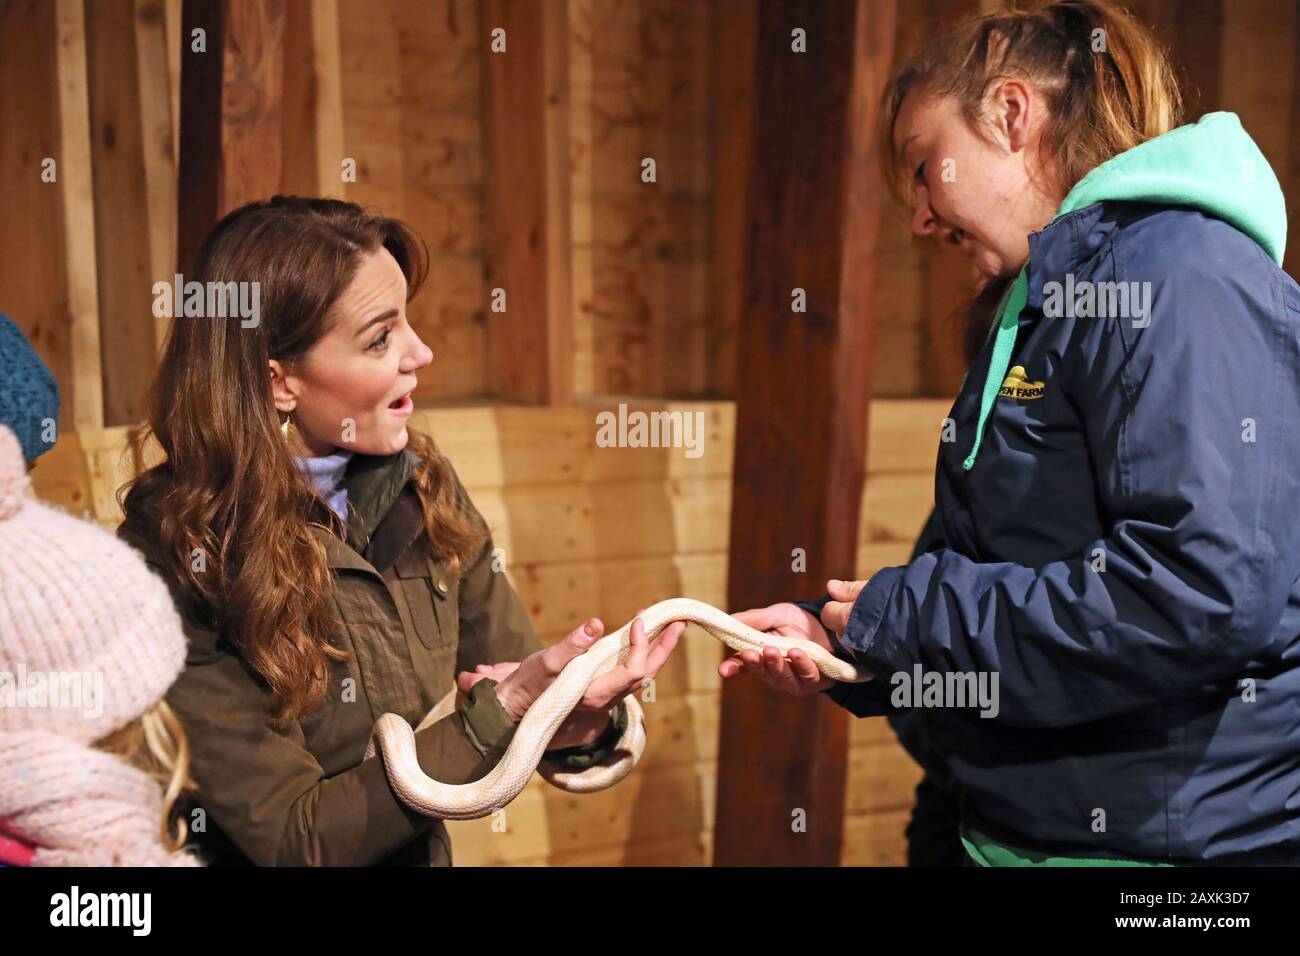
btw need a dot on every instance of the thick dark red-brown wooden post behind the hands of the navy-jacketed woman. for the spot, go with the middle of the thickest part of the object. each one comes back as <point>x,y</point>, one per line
<point>803,397</point>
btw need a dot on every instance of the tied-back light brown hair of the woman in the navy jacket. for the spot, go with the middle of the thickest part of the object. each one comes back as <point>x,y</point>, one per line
<point>1099,103</point>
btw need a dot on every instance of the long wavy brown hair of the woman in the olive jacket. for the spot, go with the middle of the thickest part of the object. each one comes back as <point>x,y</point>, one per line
<point>228,490</point>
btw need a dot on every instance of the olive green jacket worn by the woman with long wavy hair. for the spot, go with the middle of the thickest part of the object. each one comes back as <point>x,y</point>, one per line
<point>304,795</point>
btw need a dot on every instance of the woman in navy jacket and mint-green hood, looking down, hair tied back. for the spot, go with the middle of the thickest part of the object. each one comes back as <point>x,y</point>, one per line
<point>1119,481</point>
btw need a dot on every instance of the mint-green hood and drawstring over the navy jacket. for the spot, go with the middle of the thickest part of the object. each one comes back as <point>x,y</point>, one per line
<point>1212,166</point>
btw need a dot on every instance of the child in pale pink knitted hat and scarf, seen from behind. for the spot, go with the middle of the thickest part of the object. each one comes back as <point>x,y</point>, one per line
<point>92,760</point>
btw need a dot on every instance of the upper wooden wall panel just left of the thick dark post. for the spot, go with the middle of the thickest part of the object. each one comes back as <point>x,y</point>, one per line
<point>642,90</point>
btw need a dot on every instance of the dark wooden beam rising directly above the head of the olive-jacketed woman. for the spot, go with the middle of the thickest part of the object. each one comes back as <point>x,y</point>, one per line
<point>231,113</point>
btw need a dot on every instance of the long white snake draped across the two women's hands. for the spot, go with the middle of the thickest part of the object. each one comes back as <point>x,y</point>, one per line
<point>396,741</point>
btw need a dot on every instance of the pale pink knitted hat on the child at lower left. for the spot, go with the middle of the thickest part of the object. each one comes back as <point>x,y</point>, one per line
<point>89,635</point>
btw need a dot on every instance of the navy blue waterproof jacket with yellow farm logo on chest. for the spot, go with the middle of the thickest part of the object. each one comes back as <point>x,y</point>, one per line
<point>1125,555</point>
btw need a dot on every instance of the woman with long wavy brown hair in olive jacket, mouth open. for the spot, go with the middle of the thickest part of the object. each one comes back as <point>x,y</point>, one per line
<point>327,561</point>
